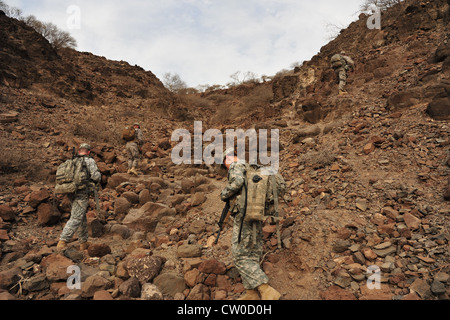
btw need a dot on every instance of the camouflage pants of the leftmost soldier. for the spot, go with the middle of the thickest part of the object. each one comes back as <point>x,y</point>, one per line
<point>77,221</point>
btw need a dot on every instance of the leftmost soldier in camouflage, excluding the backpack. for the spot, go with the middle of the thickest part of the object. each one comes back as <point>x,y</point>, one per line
<point>80,203</point>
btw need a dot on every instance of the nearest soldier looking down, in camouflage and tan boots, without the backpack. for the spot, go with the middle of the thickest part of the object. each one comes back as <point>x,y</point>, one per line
<point>246,253</point>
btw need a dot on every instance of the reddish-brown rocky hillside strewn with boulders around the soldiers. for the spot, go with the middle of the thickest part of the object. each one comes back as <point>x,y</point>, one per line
<point>367,173</point>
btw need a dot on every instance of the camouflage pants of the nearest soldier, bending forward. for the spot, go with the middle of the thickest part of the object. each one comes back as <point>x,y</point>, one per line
<point>246,254</point>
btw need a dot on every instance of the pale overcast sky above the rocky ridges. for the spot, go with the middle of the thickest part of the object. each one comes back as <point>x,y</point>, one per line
<point>203,41</point>
